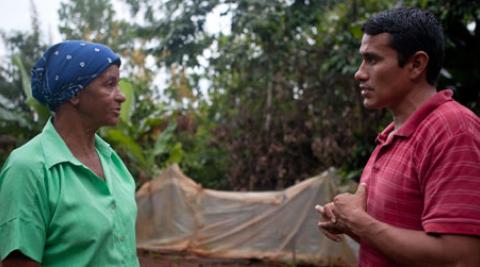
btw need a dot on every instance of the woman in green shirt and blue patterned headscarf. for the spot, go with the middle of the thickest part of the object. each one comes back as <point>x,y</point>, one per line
<point>66,198</point>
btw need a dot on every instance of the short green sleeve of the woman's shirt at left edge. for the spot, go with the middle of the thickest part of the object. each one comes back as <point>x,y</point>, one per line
<point>24,210</point>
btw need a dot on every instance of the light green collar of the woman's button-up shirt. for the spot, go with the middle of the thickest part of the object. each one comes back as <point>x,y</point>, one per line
<point>56,151</point>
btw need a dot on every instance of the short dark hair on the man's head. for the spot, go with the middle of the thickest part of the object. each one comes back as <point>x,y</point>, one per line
<point>411,30</point>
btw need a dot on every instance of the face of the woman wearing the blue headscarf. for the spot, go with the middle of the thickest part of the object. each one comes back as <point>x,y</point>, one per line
<point>100,102</point>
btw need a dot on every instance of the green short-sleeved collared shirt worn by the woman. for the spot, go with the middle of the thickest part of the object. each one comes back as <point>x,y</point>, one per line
<point>58,212</point>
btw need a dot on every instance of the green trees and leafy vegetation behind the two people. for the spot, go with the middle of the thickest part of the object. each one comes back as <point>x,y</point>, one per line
<point>266,103</point>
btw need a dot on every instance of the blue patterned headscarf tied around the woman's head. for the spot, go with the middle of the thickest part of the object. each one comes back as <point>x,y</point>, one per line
<point>67,68</point>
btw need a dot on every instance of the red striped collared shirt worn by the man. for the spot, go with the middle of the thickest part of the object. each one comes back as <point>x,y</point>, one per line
<point>426,175</point>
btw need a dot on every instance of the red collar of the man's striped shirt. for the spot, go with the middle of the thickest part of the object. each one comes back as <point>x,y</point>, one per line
<point>417,117</point>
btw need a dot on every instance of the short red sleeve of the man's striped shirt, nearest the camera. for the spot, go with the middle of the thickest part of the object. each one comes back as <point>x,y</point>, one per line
<point>451,185</point>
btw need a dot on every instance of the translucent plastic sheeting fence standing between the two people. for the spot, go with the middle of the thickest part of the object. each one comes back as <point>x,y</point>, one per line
<point>176,214</point>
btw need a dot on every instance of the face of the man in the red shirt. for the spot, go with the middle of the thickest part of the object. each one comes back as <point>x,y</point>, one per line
<point>382,82</point>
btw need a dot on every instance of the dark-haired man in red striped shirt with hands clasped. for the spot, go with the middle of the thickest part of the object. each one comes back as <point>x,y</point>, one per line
<point>418,203</point>
